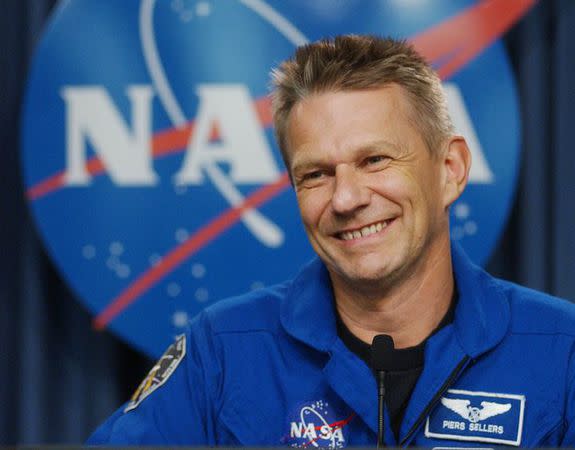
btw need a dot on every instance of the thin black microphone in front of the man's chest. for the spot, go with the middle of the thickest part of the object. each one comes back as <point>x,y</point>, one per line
<point>381,354</point>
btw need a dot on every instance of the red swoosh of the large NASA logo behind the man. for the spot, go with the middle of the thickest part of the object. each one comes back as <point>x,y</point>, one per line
<point>454,42</point>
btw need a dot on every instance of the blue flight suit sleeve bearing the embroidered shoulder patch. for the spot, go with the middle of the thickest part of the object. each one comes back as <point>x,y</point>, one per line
<point>173,404</point>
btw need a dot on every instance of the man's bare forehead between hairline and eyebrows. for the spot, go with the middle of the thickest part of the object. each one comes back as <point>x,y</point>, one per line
<point>334,123</point>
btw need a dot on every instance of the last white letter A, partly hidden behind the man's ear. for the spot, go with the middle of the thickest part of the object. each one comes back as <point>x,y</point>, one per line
<point>480,172</point>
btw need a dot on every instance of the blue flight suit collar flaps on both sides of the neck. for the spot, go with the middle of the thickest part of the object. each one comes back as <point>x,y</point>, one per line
<point>481,317</point>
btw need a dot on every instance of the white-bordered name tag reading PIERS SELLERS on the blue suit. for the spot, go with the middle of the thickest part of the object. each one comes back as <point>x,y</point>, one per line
<point>478,416</point>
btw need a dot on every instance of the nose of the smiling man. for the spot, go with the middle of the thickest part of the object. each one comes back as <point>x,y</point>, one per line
<point>349,192</point>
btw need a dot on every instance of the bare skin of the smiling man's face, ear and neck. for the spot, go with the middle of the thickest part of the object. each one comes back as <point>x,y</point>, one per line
<point>374,200</point>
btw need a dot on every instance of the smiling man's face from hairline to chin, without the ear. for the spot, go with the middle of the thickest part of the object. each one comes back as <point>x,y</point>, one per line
<point>370,192</point>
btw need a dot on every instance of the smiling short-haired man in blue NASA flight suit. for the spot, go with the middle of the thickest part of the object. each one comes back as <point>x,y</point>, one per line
<point>364,132</point>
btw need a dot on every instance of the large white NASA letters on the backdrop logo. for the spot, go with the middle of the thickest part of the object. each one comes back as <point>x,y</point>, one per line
<point>126,153</point>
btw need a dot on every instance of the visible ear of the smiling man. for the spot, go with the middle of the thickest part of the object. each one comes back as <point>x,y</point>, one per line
<point>456,162</point>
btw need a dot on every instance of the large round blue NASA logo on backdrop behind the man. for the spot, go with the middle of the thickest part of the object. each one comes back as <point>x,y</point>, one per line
<point>148,152</point>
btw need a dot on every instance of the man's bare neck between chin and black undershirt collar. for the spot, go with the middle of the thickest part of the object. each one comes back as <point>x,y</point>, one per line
<point>408,310</point>
